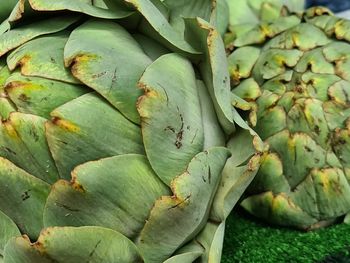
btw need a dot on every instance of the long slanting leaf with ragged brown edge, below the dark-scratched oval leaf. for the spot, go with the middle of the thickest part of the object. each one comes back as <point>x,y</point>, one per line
<point>174,220</point>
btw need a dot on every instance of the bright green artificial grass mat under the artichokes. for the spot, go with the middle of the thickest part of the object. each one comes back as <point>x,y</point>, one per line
<point>247,240</point>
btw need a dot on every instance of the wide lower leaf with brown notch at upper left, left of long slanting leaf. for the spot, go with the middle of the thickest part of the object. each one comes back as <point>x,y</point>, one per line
<point>121,190</point>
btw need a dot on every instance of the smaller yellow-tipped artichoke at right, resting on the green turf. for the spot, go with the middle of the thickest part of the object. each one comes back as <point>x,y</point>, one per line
<point>294,76</point>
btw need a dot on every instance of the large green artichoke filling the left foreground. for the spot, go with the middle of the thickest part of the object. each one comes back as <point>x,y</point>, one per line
<point>113,118</point>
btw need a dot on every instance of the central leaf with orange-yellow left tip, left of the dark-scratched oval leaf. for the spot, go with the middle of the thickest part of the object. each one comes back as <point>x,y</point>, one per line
<point>76,136</point>
